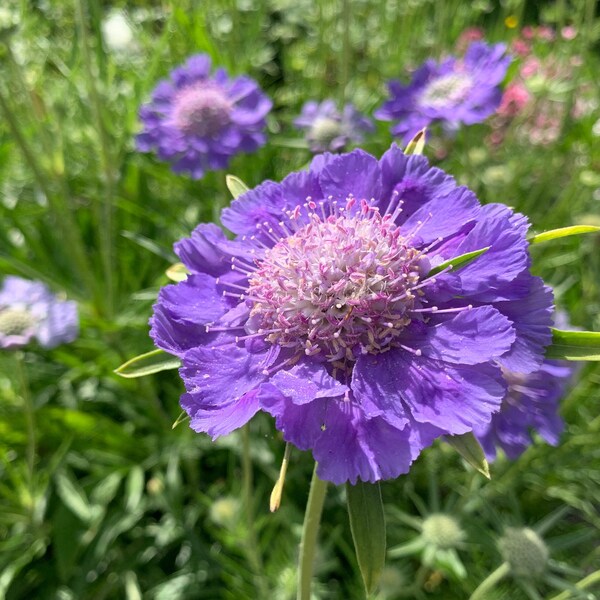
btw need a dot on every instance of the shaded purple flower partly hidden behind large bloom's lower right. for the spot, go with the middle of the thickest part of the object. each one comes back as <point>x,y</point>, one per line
<point>531,404</point>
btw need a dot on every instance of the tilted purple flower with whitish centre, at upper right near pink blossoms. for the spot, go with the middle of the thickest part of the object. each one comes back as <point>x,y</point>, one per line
<point>453,92</point>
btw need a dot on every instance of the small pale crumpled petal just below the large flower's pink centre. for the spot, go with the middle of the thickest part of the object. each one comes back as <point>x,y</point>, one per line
<point>306,381</point>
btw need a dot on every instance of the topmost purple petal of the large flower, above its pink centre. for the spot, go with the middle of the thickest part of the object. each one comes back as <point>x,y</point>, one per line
<point>356,173</point>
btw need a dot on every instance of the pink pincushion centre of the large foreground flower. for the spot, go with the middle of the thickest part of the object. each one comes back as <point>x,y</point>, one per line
<point>339,286</point>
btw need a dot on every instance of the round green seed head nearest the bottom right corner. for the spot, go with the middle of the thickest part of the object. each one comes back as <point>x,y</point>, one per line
<point>524,551</point>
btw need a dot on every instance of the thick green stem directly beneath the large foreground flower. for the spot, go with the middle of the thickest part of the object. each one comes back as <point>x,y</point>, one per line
<point>310,530</point>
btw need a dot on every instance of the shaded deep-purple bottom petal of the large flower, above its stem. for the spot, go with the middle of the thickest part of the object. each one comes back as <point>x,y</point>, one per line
<point>352,447</point>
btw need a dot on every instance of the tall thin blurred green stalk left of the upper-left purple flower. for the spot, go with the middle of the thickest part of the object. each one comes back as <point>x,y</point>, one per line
<point>106,211</point>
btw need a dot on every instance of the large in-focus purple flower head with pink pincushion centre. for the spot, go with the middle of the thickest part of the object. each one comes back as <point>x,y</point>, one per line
<point>333,311</point>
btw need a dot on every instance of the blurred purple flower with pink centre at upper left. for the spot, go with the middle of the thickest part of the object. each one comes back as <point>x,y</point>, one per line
<point>197,121</point>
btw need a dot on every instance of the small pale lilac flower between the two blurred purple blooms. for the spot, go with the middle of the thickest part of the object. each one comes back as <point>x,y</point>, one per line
<point>327,129</point>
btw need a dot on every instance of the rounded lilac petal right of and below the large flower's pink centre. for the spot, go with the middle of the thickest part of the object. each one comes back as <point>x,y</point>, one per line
<point>473,336</point>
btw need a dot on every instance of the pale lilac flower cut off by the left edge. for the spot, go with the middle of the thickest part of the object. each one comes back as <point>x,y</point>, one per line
<point>29,310</point>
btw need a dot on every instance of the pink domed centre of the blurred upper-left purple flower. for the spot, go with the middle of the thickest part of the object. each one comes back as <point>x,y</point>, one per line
<point>202,110</point>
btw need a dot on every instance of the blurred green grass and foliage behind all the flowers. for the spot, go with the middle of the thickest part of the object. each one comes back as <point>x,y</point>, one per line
<point>99,496</point>
